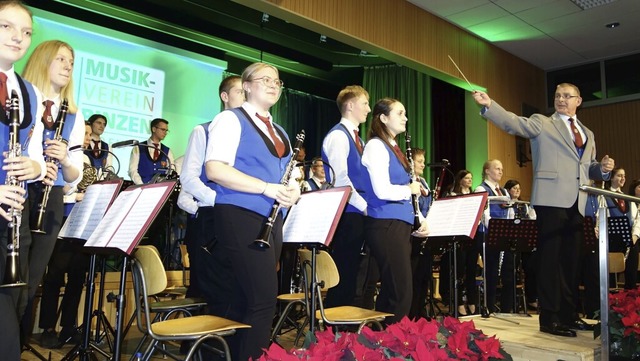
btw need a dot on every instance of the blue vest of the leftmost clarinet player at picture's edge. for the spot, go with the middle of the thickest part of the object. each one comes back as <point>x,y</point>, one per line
<point>30,106</point>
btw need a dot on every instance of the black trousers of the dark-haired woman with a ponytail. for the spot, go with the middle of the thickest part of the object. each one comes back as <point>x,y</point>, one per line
<point>390,243</point>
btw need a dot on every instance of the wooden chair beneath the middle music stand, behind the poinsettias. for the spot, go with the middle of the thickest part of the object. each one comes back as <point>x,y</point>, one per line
<point>327,276</point>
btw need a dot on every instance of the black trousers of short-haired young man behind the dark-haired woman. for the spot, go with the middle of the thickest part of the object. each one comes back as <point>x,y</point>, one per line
<point>345,251</point>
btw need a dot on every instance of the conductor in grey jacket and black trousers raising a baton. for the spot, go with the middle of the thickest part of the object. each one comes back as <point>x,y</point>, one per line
<point>564,156</point>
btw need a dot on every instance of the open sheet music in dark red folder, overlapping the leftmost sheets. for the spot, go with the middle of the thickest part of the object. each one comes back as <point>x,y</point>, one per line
<point>129,216</point>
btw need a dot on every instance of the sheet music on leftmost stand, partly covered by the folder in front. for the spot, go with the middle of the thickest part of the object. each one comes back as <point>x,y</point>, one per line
<point>86,215</point>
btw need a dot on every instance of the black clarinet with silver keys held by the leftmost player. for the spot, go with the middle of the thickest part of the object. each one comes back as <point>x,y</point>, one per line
<point>12,270</point>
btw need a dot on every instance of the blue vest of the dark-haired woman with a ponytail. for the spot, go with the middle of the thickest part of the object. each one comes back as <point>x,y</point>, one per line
<point>383,209</point>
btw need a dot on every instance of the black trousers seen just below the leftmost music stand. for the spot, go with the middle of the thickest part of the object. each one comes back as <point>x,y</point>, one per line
<point>68,258</point>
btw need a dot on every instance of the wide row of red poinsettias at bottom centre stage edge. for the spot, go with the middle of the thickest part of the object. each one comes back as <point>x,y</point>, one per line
<point>419,340</point>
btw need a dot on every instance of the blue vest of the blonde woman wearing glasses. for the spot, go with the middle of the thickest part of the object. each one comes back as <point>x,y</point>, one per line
<point>256,157</point>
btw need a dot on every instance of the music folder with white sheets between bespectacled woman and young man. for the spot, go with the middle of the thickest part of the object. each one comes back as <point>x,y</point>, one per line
<point>315,217</point>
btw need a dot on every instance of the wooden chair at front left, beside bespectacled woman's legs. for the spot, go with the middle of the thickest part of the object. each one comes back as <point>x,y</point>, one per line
<point>148,280</point>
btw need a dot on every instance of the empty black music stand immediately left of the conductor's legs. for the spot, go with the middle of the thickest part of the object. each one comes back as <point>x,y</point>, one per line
<point>514,235</point>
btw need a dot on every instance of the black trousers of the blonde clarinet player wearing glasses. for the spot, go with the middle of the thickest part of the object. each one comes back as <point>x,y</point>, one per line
<point>246,277</point>
